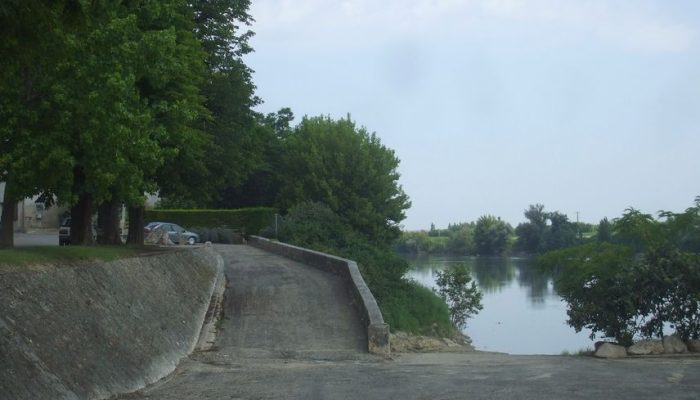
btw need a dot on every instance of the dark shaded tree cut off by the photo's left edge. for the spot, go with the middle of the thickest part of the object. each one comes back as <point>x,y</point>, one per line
<point>31,46</point>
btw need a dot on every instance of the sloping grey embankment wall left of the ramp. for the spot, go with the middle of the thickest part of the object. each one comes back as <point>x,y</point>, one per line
<point>91,331</point>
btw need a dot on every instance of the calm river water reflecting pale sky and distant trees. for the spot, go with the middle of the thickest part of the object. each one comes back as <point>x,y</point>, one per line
<point>522,314</point>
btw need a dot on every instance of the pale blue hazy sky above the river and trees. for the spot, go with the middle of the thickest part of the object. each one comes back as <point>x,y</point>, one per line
<point>492,105</point>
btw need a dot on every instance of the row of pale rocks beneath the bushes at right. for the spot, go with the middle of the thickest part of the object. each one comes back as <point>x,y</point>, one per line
<point>669,345</point>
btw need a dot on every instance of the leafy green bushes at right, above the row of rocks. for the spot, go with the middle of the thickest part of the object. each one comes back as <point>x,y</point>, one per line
<point>647,278</point>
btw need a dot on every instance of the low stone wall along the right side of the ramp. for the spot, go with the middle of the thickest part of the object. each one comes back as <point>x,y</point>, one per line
<point>377,329</point>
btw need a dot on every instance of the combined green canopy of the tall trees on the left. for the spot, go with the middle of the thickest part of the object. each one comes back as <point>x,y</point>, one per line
<point>103,101</point>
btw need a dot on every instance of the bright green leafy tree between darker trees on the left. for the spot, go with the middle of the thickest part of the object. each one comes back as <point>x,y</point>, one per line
<point>130,86</point>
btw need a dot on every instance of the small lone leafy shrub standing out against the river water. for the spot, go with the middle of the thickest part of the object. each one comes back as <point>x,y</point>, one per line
<point>463,299</point>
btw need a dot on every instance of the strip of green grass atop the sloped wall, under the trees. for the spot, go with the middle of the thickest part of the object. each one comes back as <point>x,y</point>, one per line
<point>65,254</point>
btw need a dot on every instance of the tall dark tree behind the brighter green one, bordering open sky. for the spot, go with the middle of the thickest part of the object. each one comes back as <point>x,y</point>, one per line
<point>238,143</point>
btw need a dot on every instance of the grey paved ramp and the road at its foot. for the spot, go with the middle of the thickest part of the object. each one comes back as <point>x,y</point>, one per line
<point>290,333</point>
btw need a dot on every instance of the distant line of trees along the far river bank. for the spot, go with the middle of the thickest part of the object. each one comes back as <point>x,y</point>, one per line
<point>490,236</point>
